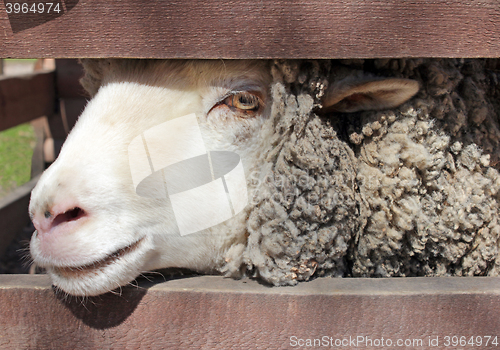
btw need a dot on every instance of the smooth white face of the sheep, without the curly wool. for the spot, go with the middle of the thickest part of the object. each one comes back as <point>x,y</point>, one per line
<point>94,233</point>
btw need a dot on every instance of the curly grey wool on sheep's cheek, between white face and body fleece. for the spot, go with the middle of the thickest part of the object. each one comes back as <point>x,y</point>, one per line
<point>306,209</point>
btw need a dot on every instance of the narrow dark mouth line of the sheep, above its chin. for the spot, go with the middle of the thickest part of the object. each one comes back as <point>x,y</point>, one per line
<point>78,271</point>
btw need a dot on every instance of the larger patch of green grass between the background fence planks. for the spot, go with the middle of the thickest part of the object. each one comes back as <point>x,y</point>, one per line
<point>16,150</point>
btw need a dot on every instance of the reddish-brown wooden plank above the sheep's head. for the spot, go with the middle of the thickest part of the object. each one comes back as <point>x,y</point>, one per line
<point>256,29</point>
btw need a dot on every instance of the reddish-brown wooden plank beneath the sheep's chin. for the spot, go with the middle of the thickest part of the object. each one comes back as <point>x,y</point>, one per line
<point>208,312</point>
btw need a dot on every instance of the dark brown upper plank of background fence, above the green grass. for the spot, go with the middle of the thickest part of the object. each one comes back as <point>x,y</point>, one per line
<point>27,97</point>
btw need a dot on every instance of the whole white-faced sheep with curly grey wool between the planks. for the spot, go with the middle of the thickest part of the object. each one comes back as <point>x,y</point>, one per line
<point>353,168</point>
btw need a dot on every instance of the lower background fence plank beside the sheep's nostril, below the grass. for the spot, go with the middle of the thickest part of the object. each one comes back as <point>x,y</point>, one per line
<point>14,212</point>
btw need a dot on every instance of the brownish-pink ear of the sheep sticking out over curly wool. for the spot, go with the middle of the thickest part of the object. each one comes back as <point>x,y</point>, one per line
<point>346,96</point>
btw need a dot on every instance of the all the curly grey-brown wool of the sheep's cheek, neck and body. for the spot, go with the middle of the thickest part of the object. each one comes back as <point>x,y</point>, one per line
<point>411,191</point>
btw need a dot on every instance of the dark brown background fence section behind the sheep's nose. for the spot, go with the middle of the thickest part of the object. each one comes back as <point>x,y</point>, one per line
<point>56,97</point>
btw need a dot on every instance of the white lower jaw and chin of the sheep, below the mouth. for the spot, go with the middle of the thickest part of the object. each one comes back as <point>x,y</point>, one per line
<point>114,271</point>
